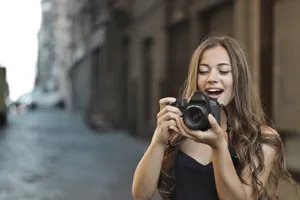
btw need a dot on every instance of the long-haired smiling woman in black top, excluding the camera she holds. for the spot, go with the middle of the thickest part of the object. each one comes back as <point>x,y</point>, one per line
<point>243,161</point>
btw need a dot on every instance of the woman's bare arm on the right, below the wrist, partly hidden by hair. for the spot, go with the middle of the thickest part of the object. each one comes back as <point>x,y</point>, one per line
<point>228,184</point>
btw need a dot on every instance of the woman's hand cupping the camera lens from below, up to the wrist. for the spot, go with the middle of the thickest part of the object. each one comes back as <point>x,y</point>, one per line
<point>213,137</point>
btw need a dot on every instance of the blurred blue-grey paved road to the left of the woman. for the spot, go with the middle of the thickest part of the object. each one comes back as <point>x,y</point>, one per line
<point>52,156</point>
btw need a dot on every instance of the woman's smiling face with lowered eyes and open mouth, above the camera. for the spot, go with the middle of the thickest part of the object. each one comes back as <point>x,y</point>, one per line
<point>215,74</point>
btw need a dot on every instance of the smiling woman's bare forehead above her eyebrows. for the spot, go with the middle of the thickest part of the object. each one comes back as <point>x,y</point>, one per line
<point>215,55</point>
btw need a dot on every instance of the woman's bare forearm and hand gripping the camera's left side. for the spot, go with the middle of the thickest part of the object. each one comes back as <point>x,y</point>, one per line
<point>148,170</point>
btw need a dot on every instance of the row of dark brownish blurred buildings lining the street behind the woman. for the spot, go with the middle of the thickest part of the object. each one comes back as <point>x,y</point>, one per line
<point>121,56</point>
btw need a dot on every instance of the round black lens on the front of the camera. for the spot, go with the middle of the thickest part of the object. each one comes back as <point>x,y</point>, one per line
<point>195,117</point>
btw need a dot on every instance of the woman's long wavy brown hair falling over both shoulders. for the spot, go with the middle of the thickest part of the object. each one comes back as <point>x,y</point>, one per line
<point>246,117</point>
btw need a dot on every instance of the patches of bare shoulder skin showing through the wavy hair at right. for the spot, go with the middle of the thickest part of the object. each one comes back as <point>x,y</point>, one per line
<point>269,150</point>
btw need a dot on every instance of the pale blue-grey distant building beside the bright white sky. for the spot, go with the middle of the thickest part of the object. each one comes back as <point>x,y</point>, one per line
<point>54,53</point>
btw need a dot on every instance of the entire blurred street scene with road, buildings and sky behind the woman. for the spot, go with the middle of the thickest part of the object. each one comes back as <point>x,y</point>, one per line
<point>80,82</point>
